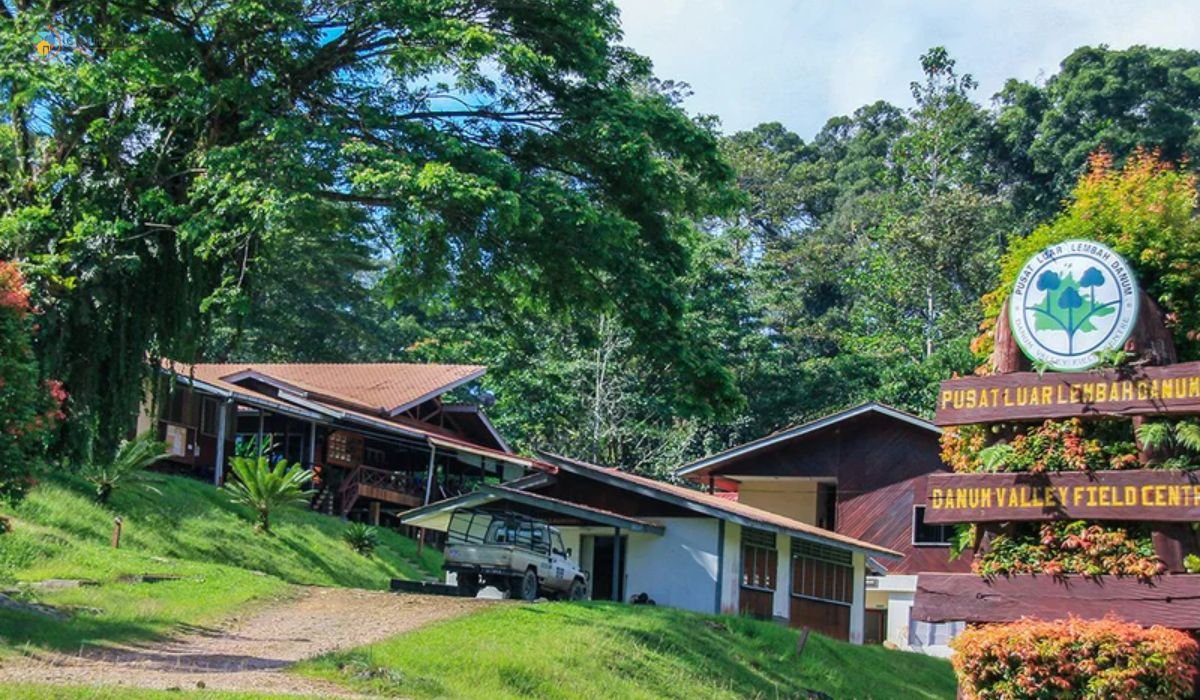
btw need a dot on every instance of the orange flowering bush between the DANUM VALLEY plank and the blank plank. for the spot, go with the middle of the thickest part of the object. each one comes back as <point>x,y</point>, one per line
<point>1071,548</point>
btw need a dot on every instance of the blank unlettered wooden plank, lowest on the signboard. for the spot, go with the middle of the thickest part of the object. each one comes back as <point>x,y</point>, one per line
<point>1172,601</point>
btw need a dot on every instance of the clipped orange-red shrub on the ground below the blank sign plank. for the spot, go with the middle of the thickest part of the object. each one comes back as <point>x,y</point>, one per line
<point>1105,660</point>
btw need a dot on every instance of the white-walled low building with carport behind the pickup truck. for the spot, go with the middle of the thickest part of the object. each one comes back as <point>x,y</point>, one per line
<point>688,549</point>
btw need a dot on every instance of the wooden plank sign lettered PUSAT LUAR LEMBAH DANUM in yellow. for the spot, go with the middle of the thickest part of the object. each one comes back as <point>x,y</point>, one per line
<point>1173,390</point>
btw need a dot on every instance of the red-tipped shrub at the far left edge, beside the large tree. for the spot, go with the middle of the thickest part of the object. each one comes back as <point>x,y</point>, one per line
<point>29,408</point>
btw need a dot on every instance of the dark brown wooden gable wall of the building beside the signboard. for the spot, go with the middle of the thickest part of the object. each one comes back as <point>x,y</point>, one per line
<point>880,464</point>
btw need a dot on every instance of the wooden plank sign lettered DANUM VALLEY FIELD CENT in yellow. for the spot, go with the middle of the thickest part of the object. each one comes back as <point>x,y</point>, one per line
<point>1145,495</point>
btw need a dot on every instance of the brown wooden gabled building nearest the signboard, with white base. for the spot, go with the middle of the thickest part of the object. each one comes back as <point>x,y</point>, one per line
<point>861,474</point>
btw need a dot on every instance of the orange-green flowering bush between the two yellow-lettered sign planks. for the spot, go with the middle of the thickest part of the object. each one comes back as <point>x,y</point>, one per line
<point>1055,446</point>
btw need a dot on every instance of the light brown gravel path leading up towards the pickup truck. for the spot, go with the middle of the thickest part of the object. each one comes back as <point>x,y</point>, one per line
<point>249,653</point>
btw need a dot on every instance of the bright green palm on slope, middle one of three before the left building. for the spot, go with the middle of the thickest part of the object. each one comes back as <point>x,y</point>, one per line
<point>266,488</point>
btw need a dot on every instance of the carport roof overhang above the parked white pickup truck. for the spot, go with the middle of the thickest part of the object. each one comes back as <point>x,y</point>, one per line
<point>435,516</point>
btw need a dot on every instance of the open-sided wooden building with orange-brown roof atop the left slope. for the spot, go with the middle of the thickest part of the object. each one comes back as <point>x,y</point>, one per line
<point>381,438</point>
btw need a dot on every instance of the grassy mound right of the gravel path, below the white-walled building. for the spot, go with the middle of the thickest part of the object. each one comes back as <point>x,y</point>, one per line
<point>603,650</point>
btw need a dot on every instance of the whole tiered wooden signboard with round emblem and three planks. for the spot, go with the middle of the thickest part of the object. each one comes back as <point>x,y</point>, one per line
<point>1075,308</point>
